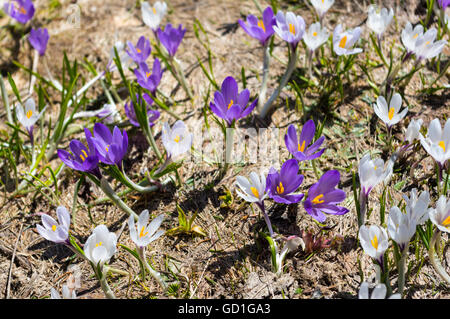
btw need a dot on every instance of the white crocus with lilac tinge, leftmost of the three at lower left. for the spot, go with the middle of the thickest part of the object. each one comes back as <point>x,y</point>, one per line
<point>54,231</point>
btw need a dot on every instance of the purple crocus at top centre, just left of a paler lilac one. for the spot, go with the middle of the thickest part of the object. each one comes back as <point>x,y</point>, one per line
<point>262,29</point>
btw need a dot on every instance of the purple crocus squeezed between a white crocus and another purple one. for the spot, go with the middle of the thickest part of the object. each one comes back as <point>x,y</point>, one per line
<point>281,185</point>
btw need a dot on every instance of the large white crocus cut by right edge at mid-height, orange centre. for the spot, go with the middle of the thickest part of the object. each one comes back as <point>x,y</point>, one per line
<point>437,141</point>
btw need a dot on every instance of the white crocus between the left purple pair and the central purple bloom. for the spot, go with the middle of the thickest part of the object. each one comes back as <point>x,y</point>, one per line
<point>176,140</point>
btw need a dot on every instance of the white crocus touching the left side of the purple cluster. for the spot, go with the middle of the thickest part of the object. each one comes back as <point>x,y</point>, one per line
<point>253,190</point>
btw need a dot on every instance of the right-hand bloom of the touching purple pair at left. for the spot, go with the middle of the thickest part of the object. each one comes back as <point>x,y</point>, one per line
<point>110,148</point>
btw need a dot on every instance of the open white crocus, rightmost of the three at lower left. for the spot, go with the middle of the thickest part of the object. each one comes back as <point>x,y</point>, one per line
<point>145,233</point>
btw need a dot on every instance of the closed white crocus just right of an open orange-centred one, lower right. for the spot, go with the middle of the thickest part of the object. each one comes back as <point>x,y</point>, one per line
<point>401,227</point>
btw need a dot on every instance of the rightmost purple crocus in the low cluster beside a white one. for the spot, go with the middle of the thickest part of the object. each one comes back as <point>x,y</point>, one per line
<point>323,197</point>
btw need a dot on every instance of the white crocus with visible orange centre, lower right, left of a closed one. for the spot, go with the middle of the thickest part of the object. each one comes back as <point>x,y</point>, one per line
<point>374,240</point>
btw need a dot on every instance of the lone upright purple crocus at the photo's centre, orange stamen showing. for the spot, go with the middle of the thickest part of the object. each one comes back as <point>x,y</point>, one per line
<point>231,105</point>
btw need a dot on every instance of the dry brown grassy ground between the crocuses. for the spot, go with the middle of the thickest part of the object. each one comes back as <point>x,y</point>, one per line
<point>232,261</point>
